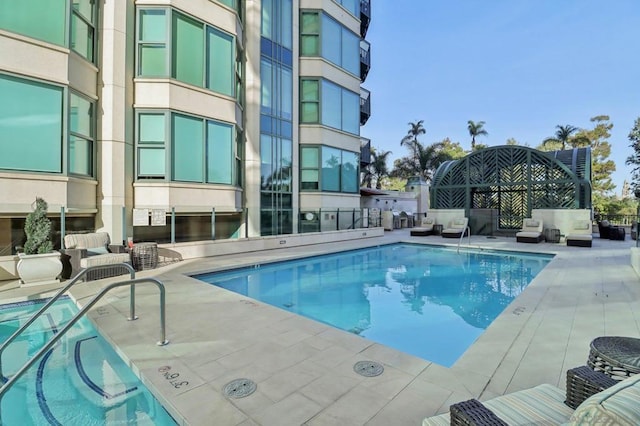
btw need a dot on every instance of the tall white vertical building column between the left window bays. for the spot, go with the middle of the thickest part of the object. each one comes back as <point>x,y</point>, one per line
<point>115,168</point>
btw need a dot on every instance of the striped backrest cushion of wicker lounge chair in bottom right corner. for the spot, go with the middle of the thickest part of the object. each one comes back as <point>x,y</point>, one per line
<point>618,405</point>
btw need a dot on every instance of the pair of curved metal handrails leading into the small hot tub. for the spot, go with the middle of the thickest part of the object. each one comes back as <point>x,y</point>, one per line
<point>132,316</point>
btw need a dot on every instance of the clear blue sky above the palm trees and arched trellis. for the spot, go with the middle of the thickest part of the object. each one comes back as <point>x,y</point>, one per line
<point>521,66</point>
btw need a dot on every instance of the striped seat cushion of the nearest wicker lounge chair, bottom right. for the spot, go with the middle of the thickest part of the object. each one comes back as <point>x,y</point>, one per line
<point>543,404</point>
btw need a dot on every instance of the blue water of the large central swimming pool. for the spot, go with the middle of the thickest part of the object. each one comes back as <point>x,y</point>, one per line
<point>426,301</point>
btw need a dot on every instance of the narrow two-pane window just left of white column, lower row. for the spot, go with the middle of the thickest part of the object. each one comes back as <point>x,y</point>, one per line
<point>81,128</point>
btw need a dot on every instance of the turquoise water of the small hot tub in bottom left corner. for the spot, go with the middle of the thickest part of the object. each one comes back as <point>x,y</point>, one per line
<point>80,381</point>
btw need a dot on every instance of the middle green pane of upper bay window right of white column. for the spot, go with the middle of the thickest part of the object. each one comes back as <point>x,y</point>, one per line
<point>188,50</point>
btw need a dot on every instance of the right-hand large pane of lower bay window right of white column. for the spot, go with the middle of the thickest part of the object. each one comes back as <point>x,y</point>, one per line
<point>220,155</point>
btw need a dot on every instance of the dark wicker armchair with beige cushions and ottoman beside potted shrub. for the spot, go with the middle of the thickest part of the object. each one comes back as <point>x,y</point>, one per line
<point>91,249</point>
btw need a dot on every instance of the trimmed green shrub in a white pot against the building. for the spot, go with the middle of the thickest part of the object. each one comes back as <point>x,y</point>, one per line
<point>38,264</point>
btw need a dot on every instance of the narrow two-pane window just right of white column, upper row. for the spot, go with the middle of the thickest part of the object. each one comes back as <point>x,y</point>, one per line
<point>152,47</point>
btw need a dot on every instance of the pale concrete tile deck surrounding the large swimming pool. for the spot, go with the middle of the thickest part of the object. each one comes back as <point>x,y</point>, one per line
<point>304,369</point>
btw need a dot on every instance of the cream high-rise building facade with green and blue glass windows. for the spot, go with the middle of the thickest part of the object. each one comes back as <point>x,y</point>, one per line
<point>206,119</point>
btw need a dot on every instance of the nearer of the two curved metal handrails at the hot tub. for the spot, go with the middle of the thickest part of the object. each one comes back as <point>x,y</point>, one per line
<point>163,341</point>
